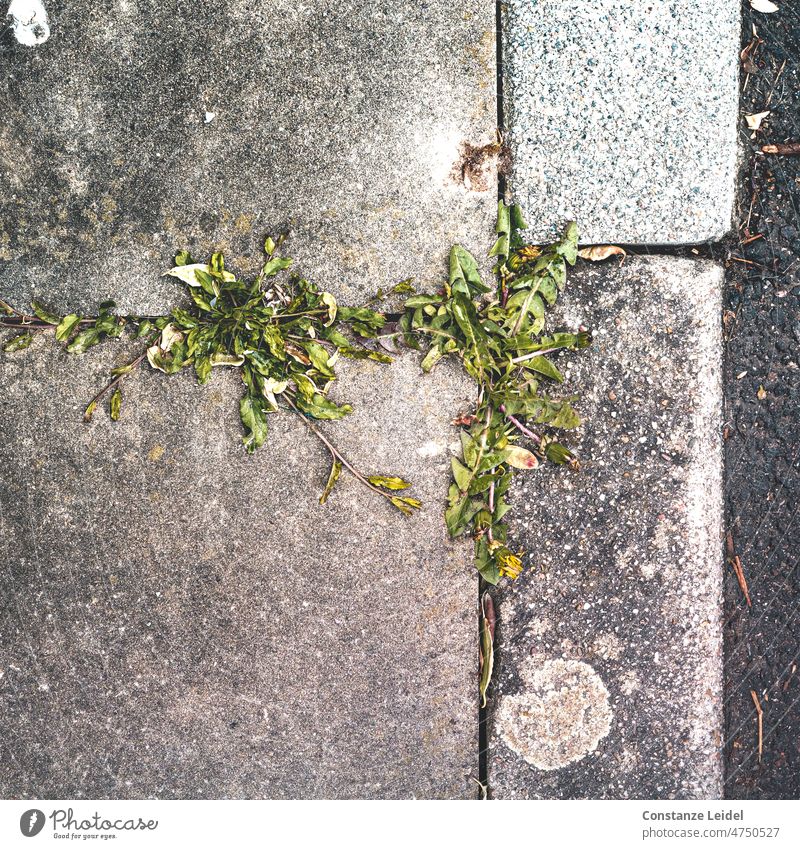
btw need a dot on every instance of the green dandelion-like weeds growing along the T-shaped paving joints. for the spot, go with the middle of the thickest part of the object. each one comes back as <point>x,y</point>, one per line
<point>284,337</point>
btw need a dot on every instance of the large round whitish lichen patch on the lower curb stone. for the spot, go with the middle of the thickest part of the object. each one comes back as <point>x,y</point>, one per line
<point>561,715</point>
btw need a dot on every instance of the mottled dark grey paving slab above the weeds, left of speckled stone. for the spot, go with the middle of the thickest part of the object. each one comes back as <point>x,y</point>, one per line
<point>140,128</point>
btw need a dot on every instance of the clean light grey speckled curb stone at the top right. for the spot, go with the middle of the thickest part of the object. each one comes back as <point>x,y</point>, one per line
<point>623,116</point>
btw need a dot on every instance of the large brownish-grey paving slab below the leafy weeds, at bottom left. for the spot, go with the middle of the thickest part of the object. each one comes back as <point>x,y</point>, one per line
<point>181,620</point>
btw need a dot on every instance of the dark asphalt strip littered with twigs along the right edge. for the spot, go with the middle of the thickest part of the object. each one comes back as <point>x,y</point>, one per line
<point>762,447</point>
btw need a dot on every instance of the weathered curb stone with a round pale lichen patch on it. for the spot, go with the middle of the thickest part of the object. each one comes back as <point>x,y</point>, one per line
<point>609,669</point>
